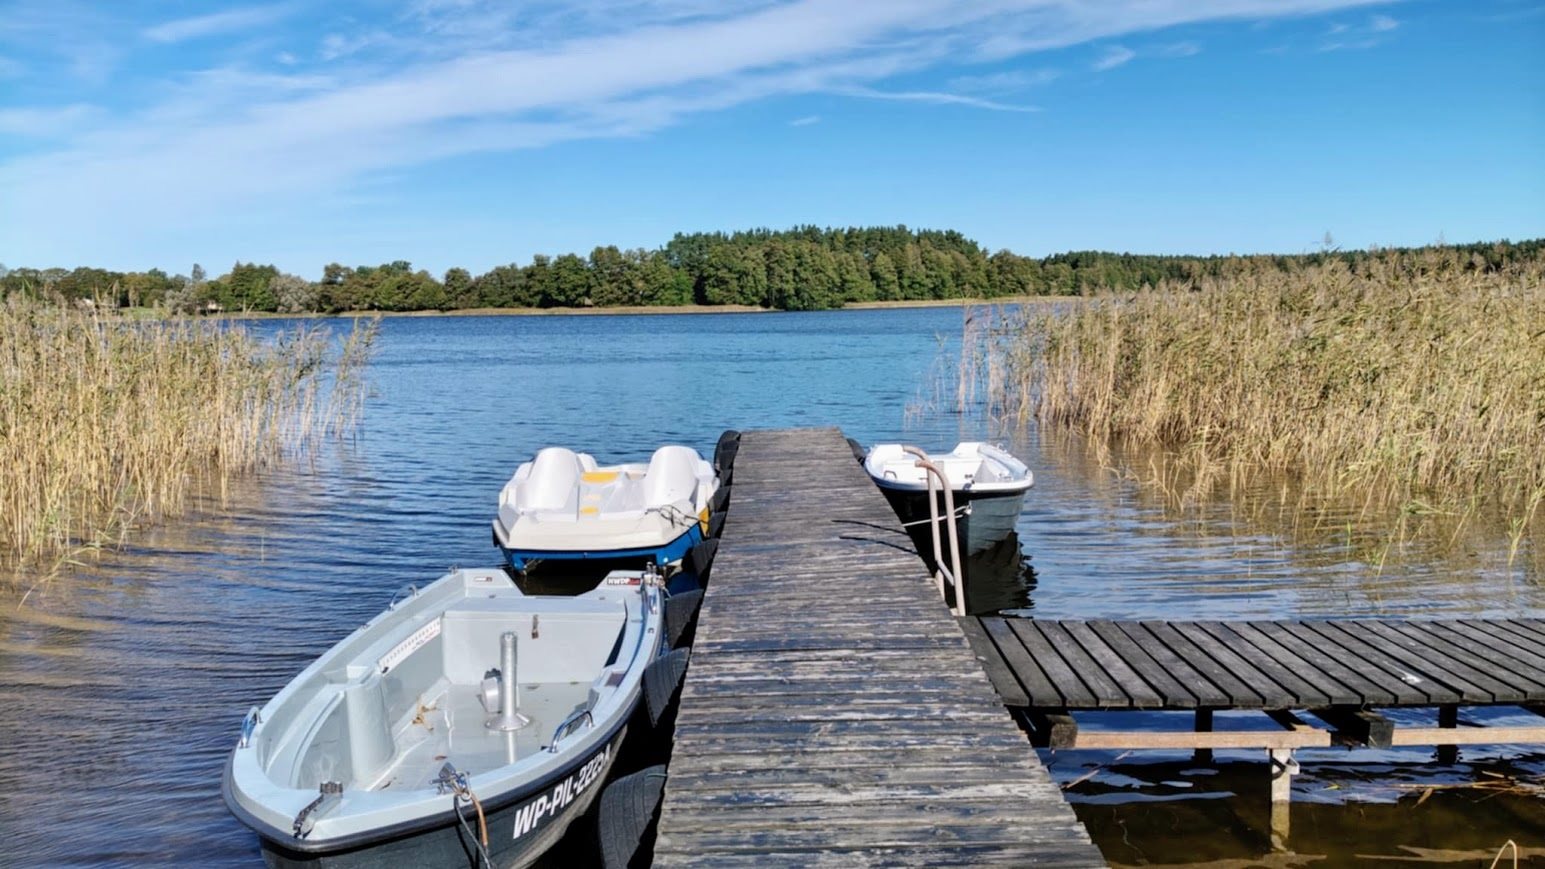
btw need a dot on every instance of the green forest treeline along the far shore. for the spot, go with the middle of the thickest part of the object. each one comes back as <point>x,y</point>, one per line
<point>800,270</point>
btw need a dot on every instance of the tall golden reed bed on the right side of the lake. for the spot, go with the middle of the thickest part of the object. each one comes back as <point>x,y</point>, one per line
<point>1408,383</point>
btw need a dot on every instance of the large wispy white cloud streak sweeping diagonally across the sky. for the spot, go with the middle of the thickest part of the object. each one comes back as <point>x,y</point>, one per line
<point>225,140</point>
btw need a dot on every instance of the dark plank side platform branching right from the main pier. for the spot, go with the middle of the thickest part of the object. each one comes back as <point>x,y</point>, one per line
<point>1340,670</point>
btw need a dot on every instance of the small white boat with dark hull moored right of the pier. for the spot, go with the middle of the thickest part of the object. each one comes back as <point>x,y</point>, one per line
<point>986,482</point>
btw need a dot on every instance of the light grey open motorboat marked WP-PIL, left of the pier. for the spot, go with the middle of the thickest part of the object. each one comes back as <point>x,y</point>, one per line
<point>467,687</point>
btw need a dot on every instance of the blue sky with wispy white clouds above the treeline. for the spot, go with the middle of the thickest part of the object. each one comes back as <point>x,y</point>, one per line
<point>475,134</point>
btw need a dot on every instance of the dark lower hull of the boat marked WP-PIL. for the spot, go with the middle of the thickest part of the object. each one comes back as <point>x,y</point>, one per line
<point>521,826</point>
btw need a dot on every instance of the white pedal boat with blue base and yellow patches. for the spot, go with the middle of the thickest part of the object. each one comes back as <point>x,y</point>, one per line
<point>562,506</point>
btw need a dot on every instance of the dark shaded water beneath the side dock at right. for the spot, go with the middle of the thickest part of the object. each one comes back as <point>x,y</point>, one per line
<point>1177,813</point>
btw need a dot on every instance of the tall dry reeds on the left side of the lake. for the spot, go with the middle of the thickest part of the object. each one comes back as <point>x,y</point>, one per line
<point>107,423</point>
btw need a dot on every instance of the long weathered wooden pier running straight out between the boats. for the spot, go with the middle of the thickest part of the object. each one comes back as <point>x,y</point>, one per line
<point>834,712</point>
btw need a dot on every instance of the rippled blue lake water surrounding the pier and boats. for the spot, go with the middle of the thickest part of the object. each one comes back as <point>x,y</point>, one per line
<point>123,684</point>
